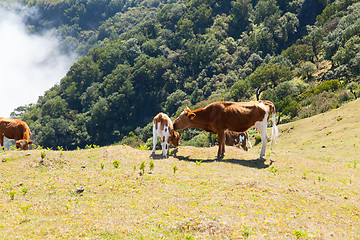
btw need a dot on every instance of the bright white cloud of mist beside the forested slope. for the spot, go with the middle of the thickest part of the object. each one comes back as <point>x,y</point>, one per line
<point>29,64</point>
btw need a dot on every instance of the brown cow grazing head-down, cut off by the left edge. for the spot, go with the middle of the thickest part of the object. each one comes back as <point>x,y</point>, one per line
<point>15,129</point>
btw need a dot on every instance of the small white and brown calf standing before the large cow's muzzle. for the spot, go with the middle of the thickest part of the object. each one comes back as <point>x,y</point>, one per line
<point>163,128</point>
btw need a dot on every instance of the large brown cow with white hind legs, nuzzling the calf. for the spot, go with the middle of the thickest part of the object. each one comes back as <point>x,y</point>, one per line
<point>235,116</point>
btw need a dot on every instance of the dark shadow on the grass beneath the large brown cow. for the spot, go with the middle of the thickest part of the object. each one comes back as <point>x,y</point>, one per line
<point>253,163</point>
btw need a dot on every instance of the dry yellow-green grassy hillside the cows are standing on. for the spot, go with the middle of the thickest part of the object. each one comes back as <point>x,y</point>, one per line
<point>308,188</point>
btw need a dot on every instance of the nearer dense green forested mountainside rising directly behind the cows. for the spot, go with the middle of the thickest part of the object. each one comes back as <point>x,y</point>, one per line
<point>194,52</point>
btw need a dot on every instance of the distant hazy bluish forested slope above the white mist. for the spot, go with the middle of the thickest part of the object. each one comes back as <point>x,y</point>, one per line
<point>84,24</point>
